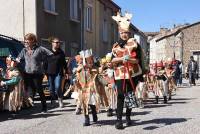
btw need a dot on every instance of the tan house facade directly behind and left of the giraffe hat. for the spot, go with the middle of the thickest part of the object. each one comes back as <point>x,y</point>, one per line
<point>100,30</point>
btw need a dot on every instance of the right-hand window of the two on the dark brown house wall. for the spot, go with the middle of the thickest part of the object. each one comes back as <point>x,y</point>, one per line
<point>74,9</point>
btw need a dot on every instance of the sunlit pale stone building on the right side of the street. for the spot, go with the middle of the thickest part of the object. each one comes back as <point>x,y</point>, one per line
<point>180,43</point>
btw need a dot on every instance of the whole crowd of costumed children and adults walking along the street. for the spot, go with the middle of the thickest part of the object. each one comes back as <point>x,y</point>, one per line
<point>121,79</point>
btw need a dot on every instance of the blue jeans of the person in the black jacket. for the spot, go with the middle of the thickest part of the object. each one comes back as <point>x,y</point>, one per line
<point>55,86</point>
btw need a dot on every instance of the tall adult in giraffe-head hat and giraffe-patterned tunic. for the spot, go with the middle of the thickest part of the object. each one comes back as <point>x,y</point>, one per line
<point>129,65</point>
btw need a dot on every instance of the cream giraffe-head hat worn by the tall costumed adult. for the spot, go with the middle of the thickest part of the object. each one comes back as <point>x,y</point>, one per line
<point>123,21</point>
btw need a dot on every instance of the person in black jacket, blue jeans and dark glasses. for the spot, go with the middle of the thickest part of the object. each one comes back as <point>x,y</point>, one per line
<point>55,67</point>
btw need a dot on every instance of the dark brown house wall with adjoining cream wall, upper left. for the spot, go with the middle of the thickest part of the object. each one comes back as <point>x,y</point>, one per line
<point>45,18</point>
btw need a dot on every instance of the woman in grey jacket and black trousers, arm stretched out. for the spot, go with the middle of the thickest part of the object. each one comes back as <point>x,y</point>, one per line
<point>34,56</point>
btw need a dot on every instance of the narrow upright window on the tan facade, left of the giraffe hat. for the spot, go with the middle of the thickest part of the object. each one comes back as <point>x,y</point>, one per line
<point>88,18</point>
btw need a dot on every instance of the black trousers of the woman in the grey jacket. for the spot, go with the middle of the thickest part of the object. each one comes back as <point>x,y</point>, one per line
<point>33,82</point>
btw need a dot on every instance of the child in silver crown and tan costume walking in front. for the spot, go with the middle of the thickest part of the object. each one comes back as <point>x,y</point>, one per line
<point>86,75</point>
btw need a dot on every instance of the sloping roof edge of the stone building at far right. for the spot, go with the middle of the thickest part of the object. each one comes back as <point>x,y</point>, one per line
<point>175,31</point>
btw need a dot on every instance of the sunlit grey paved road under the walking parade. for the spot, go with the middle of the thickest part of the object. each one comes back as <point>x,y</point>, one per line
<point>180,116</point>
